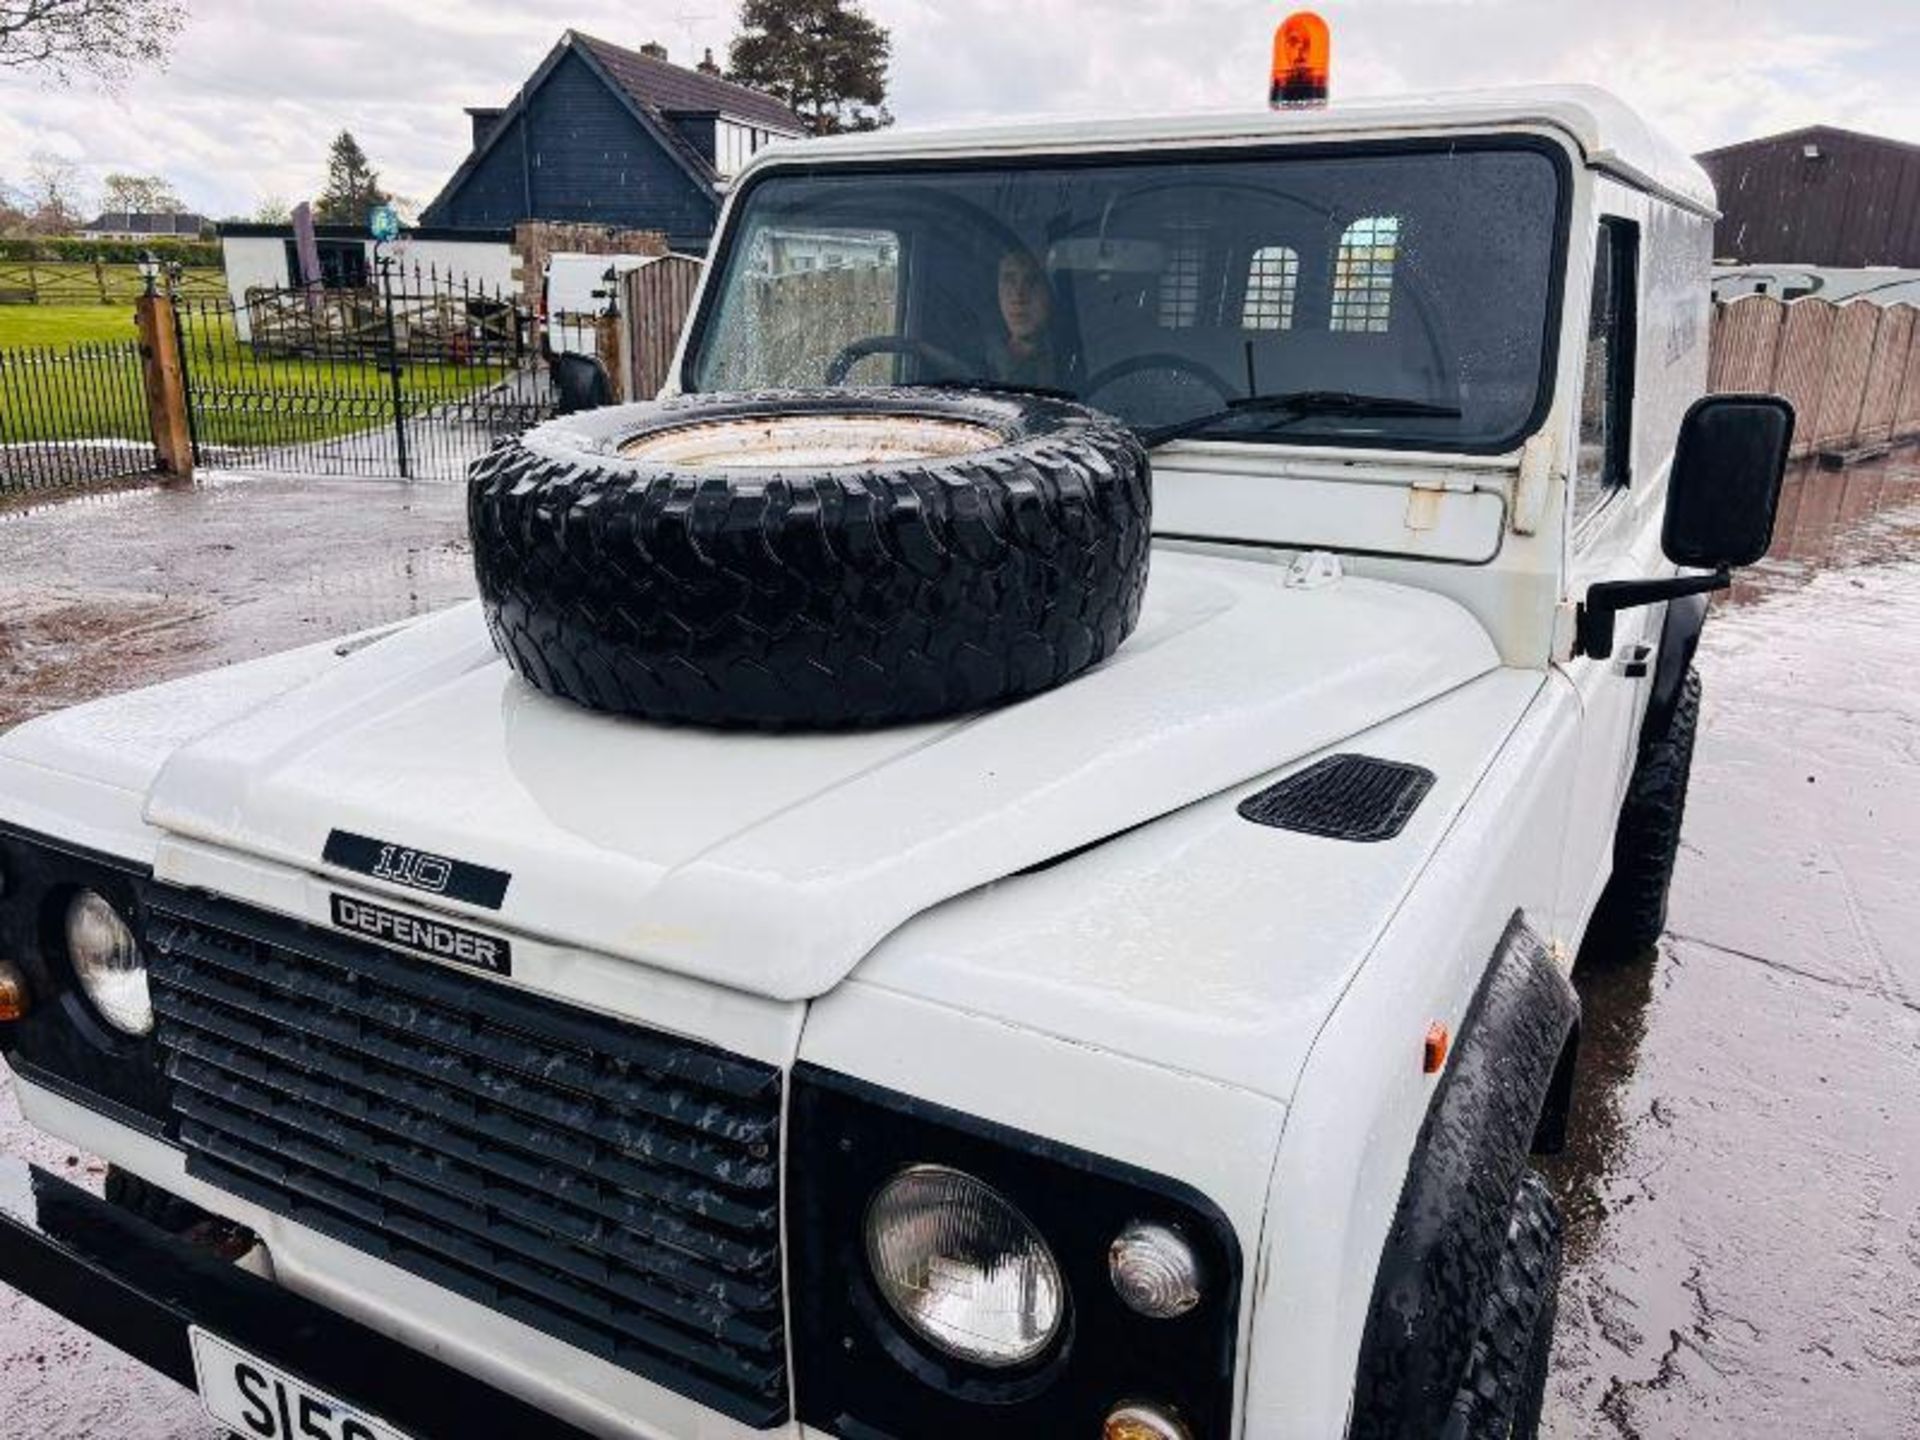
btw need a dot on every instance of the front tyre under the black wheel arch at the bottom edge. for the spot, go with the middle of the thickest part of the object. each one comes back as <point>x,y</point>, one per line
<point>1508,1374</point>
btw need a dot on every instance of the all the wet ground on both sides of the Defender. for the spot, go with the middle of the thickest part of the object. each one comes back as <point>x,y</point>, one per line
<point>1744,1186</point>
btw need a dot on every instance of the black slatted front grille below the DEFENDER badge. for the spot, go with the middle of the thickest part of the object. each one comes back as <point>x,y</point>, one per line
<point>604,1184</point>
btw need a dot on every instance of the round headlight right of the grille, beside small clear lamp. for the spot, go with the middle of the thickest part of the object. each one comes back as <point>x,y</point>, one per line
<point>963,1268</point>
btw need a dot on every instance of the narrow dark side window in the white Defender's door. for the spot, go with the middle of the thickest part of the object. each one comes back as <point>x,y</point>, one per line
<point>1608,381</point>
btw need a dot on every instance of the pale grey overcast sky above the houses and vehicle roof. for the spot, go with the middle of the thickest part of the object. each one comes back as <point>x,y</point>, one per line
<point>258,87</point>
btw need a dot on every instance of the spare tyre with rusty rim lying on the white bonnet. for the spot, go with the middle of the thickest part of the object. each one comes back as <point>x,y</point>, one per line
<point>813,560</point>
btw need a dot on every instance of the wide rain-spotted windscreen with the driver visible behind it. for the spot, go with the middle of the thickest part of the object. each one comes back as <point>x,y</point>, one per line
<point>1356,297</point>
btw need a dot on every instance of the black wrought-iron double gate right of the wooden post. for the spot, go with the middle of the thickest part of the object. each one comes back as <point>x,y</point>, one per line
<point>414,377</point>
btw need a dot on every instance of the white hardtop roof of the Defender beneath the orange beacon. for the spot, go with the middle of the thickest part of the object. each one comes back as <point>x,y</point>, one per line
<point>1606,132</point>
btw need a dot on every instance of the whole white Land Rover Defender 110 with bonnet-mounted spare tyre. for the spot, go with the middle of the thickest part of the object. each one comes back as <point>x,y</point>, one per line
<point>1001,863</point>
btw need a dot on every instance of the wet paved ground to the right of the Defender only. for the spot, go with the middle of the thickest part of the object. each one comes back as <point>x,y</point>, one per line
<point>1744,1184</point>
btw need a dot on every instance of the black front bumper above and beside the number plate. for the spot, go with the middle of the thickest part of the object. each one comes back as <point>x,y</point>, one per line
<point>141,1291</point>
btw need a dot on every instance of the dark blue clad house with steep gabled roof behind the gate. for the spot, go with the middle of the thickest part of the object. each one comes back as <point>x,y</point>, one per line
<point>606,135</point>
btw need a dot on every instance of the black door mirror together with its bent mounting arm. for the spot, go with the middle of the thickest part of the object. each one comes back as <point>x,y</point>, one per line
<point>1721,500</point>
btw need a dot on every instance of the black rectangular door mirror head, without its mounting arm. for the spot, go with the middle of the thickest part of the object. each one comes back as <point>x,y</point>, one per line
<point>1725,485</point>
